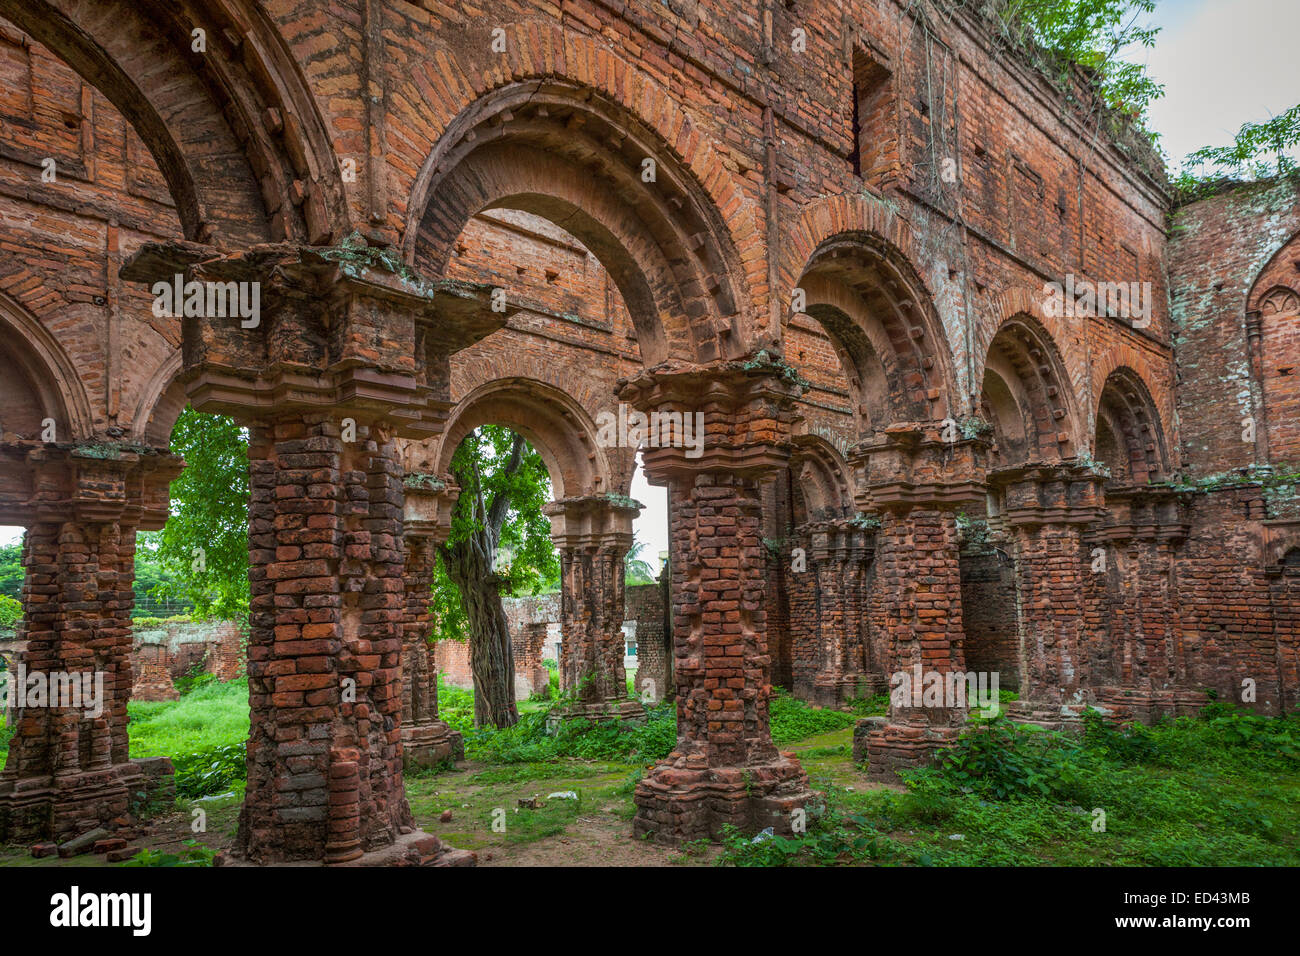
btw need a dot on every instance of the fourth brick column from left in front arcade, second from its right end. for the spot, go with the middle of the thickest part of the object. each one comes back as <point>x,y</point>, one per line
<point>1045,511</point>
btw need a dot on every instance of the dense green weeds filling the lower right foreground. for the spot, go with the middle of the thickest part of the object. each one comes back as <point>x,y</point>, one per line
<point>1212,790</point>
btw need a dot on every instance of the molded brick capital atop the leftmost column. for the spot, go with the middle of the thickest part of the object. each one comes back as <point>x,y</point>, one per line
<point>86,482</point>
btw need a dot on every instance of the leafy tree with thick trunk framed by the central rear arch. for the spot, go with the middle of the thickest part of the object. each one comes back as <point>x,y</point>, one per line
<point>500,542</point>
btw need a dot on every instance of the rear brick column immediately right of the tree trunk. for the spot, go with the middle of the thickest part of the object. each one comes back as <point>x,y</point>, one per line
<point>593,535</point>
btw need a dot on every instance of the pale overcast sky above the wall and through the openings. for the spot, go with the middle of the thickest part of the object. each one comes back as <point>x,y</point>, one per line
<point>1224,63</point>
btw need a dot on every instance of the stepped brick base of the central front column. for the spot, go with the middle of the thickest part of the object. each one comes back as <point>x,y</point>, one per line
<point>683,801</point>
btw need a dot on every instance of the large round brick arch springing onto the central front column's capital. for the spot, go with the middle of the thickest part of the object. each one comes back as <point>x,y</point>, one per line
<point>609,118</point>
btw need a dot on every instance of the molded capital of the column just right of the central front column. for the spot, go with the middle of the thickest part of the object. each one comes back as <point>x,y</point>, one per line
<point>912,465</point>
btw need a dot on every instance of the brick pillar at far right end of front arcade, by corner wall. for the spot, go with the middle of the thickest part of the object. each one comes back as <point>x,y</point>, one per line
<point>1139,624</point>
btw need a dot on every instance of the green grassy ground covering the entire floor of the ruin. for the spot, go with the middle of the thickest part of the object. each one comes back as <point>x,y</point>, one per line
<point>1220,789</point>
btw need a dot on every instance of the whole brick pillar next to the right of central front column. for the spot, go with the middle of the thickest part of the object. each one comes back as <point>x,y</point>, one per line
<point>917,483</point>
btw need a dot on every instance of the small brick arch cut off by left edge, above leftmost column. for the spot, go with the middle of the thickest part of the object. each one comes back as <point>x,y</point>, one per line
<point>41,382</point>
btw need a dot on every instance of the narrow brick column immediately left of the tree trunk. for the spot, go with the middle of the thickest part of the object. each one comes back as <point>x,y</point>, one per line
<point>426,739</point>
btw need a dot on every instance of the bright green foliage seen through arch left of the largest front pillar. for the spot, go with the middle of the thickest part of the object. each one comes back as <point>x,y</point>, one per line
<point>203,550</point>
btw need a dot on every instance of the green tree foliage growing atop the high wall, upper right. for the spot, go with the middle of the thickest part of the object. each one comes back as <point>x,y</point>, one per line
<point>1093,34</point>
